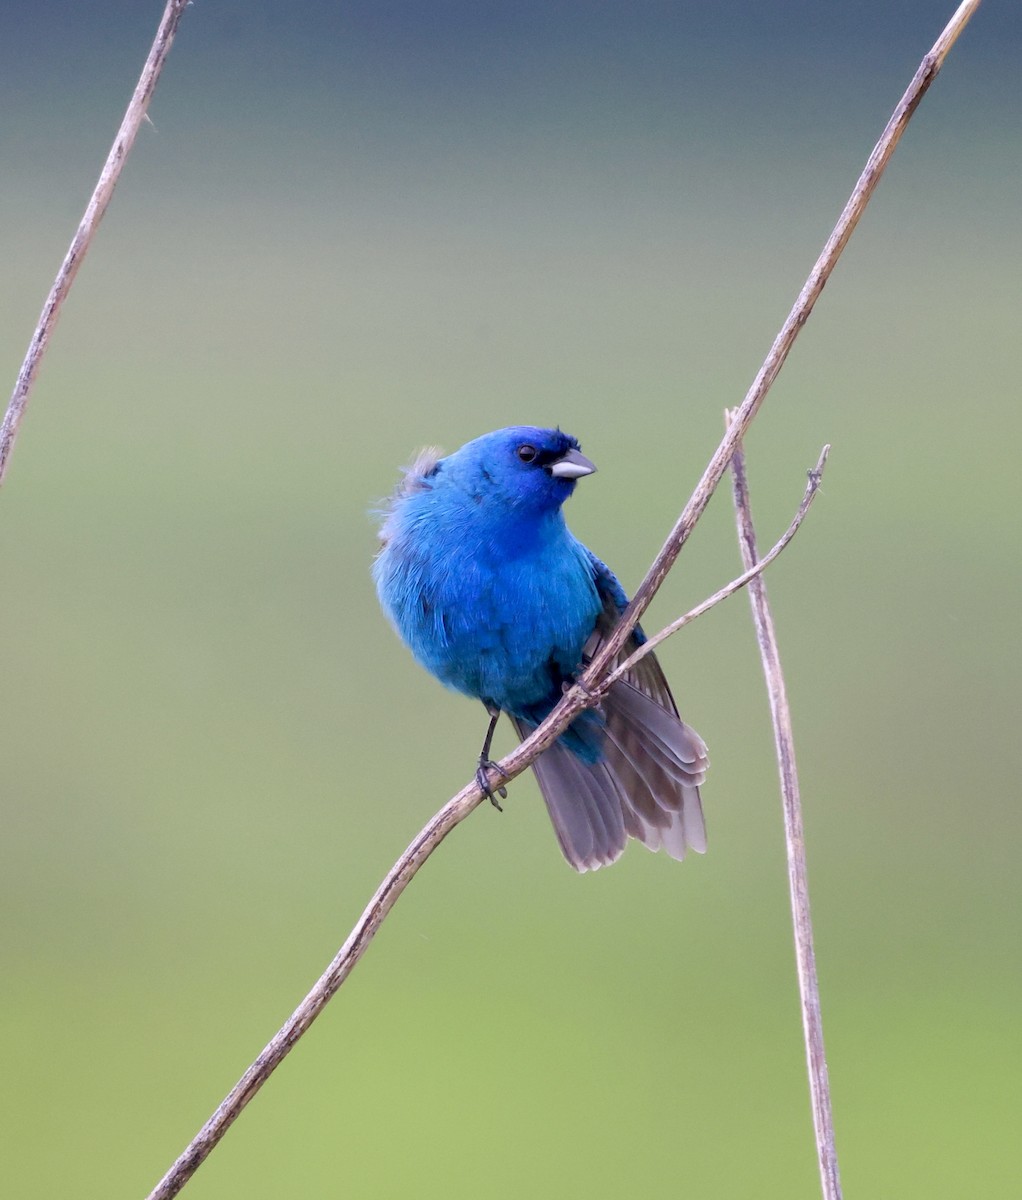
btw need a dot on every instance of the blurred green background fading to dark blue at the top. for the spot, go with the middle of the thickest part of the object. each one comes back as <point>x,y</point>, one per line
<point>358,229</point>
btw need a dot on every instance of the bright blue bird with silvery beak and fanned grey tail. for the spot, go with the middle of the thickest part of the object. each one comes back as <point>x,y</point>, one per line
<point>484,581</point>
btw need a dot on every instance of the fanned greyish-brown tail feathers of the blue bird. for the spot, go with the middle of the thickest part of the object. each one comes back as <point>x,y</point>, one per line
<point>645,785</point>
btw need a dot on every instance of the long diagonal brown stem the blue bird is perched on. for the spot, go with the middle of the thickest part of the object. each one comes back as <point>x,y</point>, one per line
<point>582,697</point>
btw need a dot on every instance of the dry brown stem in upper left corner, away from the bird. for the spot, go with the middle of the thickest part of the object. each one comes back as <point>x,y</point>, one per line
<point>91,221</point>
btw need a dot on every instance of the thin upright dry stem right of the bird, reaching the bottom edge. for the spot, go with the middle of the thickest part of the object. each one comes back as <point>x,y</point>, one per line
<point>795,841</point>
